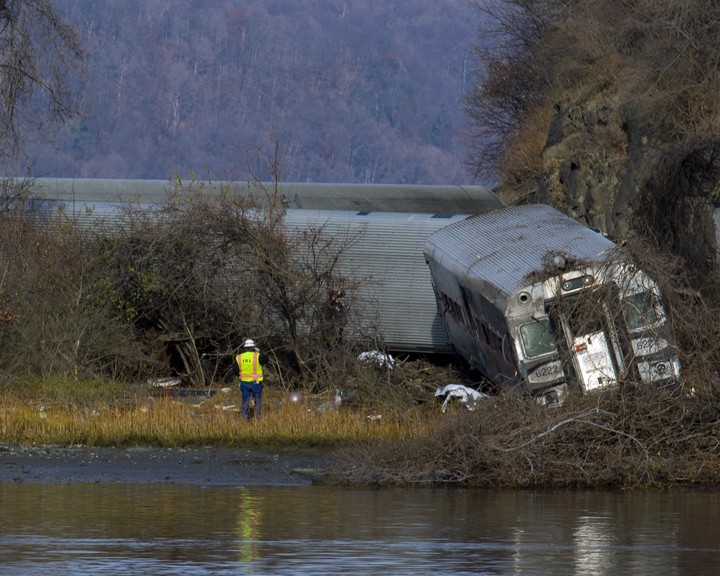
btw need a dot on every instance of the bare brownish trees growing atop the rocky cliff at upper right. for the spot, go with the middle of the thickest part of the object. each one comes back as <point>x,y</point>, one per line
<point>654,60</point>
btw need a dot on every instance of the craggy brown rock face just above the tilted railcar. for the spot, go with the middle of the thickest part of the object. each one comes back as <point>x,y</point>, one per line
<point>607,167</point>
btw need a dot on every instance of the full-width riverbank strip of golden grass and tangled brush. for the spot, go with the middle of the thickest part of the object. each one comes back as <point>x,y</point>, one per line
<point>628,436</point>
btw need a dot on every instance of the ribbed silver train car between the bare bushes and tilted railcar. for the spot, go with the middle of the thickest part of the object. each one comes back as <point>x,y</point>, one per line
<point>393,303</point>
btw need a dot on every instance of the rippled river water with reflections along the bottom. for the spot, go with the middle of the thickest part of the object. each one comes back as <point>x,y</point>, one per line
<point>156,529</point>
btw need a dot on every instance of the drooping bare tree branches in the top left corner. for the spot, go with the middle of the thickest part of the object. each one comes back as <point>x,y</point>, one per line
<point>39,53</point>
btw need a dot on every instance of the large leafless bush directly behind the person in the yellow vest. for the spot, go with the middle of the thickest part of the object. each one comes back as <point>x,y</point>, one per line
<point>205,271</point>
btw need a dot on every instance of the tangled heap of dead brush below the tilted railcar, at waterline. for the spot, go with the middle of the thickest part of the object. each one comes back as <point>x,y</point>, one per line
<point>628,437</point>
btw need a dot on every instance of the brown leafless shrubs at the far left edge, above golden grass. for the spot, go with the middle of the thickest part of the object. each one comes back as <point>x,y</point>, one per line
<point>58,319</point>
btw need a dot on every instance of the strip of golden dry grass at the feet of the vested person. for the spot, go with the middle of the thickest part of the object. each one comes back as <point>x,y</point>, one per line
<point>215,421</point>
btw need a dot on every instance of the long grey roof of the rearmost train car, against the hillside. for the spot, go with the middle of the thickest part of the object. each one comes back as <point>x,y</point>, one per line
<point>411,198</point>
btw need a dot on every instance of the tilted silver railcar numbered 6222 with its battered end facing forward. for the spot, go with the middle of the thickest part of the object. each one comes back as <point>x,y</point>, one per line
<point>532,298</point>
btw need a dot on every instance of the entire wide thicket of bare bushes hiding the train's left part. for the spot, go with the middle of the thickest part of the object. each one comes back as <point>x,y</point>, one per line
<point>134,294</point>
